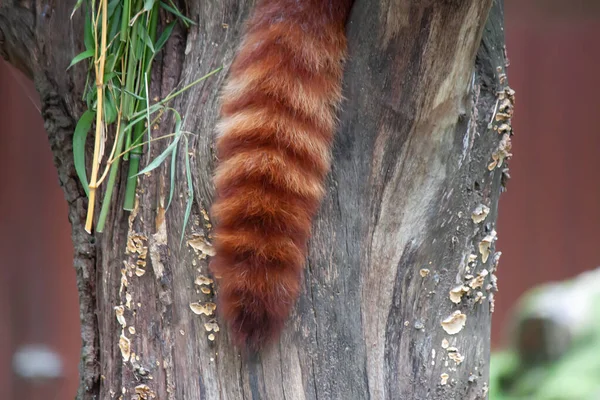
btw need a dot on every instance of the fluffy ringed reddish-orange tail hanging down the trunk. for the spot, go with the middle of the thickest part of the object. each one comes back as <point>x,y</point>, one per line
<point>276,129</point>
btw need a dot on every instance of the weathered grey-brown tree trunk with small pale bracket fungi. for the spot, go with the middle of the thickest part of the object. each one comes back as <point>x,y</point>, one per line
<point>416,159</point>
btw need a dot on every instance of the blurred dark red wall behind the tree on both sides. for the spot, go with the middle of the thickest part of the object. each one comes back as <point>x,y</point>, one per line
<point>548,224</point>
